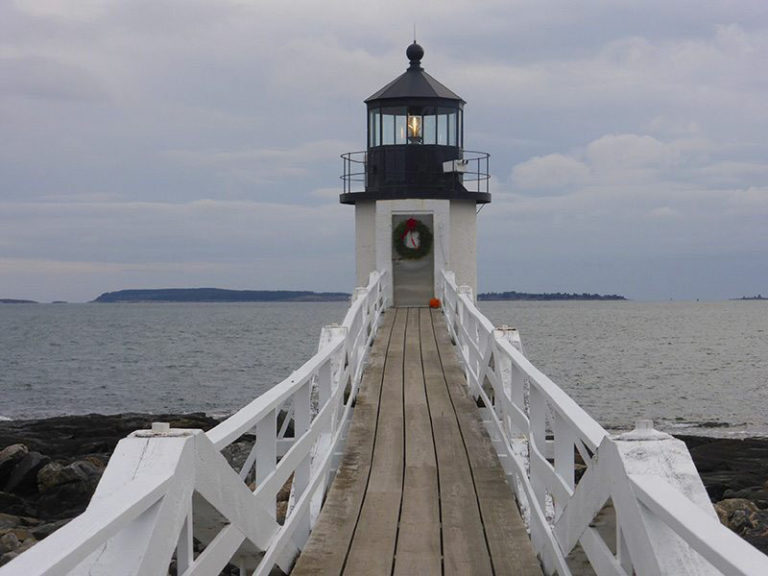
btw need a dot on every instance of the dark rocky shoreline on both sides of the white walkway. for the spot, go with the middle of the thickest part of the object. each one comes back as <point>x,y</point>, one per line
<point>49,469</point>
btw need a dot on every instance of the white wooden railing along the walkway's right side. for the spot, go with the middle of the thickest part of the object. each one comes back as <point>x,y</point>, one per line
<point>637,504</point>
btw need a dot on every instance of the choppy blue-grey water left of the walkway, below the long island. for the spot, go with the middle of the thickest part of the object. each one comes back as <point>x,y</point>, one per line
<point>81,358</point>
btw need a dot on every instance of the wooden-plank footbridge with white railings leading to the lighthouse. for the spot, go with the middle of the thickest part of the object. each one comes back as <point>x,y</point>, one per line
<point>415,441</point>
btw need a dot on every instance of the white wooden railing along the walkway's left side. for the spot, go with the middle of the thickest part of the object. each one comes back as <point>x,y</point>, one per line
<point>164,487</point>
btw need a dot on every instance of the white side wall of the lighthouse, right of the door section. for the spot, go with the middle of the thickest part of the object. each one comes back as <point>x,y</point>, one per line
<point>463,243</point>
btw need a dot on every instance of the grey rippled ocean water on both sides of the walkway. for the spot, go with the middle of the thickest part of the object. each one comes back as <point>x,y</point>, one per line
<point>689,366</point>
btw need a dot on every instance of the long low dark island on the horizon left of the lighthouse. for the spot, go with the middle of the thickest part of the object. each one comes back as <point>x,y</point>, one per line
<point>219,295</point>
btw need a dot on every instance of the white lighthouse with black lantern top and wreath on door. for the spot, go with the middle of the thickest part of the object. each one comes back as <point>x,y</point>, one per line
<point>415,189</point>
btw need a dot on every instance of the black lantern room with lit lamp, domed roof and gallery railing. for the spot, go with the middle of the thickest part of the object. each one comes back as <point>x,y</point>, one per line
<point>415,142</point>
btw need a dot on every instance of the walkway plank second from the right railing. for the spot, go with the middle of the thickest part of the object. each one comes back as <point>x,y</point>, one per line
<point>464,547</point>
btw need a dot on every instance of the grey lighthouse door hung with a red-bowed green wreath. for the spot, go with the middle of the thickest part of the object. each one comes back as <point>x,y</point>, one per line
<point>413,259</point>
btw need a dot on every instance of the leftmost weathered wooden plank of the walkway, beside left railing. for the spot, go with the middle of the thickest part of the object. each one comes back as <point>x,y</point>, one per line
<point>326,550</point>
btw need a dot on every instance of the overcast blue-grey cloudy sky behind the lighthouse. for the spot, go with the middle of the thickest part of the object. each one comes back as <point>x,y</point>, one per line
<point>156,143</point>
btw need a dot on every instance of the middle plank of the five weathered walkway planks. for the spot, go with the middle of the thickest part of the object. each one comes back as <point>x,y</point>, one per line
<point>418,543</point>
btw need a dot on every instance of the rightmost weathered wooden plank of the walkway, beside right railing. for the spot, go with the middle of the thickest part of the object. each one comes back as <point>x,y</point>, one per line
<point>509,544</point>
